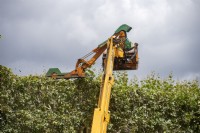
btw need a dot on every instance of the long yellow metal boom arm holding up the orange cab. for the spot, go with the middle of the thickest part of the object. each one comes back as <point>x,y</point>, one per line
<point>101,116</point>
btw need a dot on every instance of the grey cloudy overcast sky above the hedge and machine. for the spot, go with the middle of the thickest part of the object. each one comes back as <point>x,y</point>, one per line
<point>37,35</point>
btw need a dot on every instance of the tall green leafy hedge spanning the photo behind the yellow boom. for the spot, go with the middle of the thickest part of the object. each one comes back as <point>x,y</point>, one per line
<point>38,104</point>
